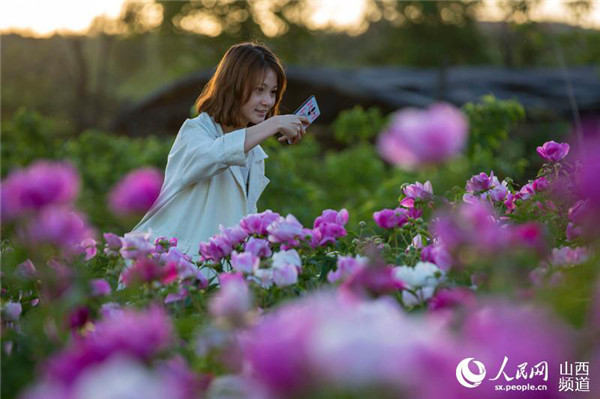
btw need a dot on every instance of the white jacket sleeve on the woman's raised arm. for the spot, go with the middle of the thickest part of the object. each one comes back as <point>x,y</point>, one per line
<point>203,156</point>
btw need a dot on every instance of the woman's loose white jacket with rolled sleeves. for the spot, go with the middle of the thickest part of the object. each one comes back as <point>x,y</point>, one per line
<point>204,185</point>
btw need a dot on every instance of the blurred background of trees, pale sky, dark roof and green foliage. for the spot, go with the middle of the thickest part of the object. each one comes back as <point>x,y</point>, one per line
<point>107,85</point>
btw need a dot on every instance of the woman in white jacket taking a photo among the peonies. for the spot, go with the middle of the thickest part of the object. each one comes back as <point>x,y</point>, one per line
<point>215,171</point>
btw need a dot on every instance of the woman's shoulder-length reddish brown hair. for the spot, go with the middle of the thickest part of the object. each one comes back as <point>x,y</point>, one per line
<point>241,69</point>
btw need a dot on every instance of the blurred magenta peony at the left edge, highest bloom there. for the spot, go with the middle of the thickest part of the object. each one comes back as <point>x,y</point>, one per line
<point>41,184</point>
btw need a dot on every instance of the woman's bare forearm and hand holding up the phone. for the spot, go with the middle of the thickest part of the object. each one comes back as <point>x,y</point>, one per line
<point>291,126</point>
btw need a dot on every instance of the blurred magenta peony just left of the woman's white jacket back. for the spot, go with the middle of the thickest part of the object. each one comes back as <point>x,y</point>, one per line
<point>136,192</point>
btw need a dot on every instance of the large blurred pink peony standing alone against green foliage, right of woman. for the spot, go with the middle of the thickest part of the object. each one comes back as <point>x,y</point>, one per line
<point>419,137</point>
